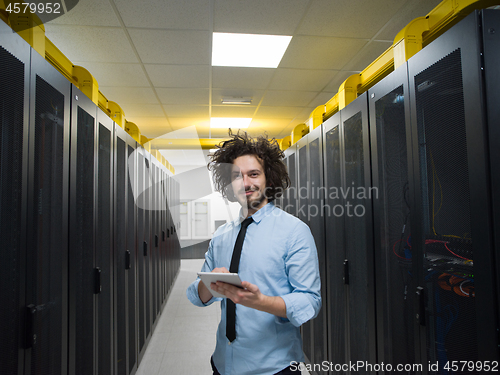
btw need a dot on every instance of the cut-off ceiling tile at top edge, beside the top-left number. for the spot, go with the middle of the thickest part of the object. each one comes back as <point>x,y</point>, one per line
<point>89,13</point>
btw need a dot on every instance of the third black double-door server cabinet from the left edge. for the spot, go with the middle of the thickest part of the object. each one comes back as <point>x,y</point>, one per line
<point>125,255</point>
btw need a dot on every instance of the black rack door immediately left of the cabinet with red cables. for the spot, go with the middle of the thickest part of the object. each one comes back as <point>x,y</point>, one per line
<point>390,134</point>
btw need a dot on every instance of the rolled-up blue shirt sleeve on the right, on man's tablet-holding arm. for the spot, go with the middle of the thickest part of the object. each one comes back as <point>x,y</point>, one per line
<point>304,302</point>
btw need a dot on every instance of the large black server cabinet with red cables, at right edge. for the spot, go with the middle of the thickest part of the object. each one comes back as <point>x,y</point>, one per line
<point>452,222</point>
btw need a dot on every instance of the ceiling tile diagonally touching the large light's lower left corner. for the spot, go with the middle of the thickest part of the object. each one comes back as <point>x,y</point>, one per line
<point>184,76</point>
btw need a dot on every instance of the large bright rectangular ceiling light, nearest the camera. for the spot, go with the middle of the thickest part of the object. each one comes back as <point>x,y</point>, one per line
<point>248,50</point>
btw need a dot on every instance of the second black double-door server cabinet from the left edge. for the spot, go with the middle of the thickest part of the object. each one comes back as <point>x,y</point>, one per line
<point>91,345</point>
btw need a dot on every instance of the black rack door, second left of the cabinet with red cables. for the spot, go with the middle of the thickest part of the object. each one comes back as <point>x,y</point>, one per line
<point>358,231</point>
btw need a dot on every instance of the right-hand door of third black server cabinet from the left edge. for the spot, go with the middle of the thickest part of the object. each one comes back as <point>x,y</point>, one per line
<point>132,246</point>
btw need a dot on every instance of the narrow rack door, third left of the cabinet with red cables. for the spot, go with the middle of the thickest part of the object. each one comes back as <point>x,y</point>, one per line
<point>336,302</point>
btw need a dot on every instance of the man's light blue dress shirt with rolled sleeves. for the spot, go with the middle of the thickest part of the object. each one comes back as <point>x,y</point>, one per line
<point>280,257</point>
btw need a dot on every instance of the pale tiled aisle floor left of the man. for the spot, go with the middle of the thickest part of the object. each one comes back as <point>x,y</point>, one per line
<point>184,338</point>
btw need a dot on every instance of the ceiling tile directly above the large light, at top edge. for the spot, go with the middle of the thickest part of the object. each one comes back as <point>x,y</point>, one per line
<point>277,17</point>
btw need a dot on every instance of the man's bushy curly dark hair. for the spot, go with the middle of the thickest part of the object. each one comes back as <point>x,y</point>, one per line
<point>267,151</point>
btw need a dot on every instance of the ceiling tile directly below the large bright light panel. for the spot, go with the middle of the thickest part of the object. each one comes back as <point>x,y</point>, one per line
<point>241,78</point>
